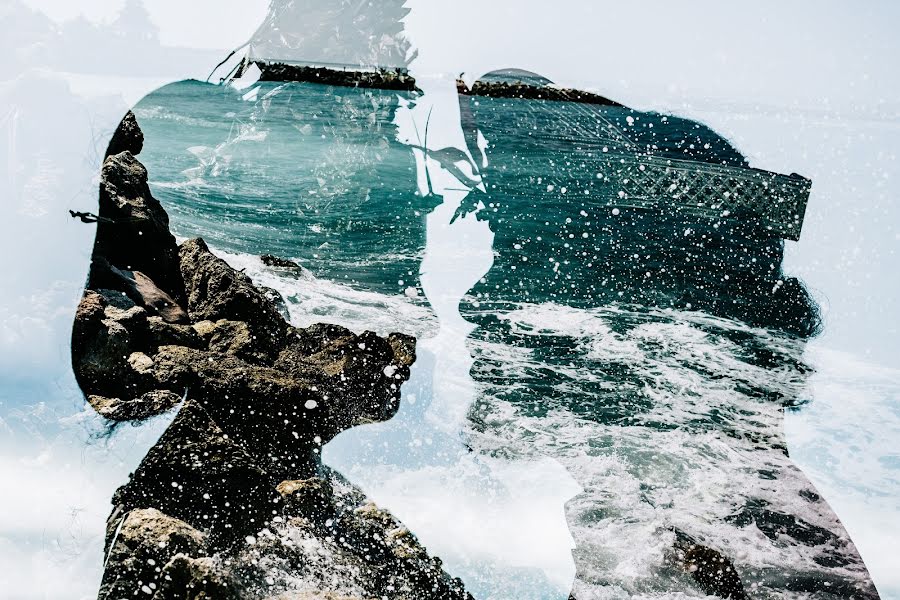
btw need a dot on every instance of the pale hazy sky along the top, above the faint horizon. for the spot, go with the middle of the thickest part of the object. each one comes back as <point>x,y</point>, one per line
<point>828,55</point>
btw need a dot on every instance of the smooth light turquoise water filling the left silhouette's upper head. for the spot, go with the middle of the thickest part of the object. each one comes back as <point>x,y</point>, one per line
<point>323,182</point>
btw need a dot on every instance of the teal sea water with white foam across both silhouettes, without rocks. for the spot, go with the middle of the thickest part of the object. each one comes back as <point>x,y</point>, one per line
<point>650,353</point>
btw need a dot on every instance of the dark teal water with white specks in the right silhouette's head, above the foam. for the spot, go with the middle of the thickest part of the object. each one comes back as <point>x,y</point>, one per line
<point>583,249</point>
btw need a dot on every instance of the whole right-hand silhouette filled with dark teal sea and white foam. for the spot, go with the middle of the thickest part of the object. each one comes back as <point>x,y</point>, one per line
<point>649,347</point>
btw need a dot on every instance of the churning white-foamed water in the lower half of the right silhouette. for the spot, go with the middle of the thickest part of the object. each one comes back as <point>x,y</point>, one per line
<point>668,420</point>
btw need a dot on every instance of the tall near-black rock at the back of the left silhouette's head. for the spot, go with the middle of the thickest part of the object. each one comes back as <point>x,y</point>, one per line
<point>133,233</point>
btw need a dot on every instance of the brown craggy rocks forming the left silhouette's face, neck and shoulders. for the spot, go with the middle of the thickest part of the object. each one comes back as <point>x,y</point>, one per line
<point>233,502</point>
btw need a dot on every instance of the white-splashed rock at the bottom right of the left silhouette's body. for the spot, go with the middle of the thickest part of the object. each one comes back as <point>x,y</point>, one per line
<point>357,550</point>
